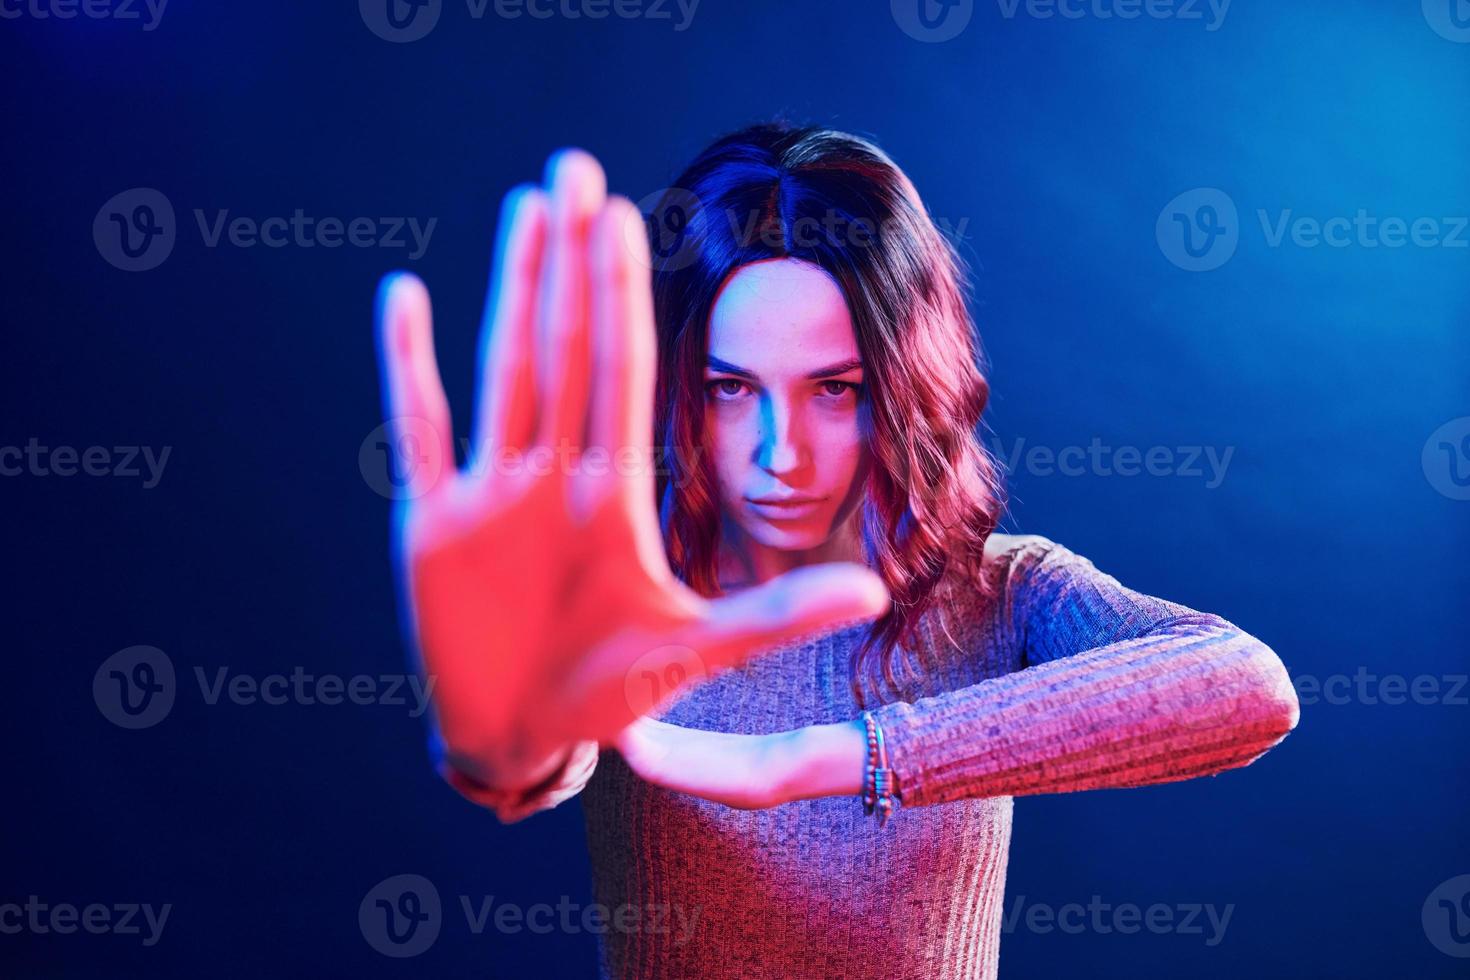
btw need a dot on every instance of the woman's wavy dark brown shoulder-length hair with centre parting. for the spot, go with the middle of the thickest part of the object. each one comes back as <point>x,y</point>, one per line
<point>936,493</point>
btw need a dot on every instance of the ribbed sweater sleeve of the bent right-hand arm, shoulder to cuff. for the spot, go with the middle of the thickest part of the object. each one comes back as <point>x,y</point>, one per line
<point>1118,690</point>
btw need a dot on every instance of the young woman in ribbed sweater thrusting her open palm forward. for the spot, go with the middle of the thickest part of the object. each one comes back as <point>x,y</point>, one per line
<point>800,355</point>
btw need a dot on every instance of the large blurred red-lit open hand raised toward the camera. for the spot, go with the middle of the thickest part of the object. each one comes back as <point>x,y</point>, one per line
<point>536,583</point>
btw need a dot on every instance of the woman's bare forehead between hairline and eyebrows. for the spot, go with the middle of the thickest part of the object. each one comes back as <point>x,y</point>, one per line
<point>781,317</point>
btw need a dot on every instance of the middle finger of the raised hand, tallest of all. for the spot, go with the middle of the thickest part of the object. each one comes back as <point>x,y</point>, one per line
<point>578,192</point>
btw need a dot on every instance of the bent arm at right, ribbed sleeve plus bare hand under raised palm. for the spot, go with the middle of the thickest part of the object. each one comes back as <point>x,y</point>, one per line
<point>1168,694</point>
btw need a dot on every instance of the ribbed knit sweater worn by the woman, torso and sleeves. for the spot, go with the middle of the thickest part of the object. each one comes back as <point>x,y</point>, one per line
<point>1065,681</point>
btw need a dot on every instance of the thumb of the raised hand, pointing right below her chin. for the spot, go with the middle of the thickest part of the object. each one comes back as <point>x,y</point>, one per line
<point>803,602</point>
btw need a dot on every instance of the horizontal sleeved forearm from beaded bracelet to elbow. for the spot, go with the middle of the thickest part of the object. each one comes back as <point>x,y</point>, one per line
<point>1155,709</point>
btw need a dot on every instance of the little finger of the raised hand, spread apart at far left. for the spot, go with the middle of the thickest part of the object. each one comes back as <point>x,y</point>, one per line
<point>418,415</point>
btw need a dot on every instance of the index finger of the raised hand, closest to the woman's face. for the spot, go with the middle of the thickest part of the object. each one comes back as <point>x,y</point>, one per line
<point>624,370</point>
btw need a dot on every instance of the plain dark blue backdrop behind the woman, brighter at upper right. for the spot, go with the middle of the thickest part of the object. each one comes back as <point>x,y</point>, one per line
<point>1056,142</point>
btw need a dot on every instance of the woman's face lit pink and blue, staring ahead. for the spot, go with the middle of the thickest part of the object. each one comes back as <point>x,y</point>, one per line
<point>781,396</point>
